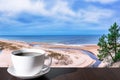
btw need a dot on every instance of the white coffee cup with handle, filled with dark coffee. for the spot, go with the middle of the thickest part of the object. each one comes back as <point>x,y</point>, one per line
<point>28,62</point>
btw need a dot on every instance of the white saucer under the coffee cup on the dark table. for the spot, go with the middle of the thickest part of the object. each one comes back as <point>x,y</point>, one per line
<point>11,71</point>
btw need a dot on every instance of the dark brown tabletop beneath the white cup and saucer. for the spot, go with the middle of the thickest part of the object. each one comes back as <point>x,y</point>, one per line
<point>71,74</point>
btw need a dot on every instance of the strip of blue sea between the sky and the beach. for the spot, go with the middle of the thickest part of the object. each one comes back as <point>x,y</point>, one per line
<point>56,39</point>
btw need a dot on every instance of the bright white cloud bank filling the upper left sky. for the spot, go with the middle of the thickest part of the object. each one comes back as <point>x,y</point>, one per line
<point>37,7</point>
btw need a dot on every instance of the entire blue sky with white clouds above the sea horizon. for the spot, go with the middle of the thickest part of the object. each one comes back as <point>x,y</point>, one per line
<point>58,17</point>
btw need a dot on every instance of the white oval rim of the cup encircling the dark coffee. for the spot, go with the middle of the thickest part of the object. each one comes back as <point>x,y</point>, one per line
<point>28,50</point>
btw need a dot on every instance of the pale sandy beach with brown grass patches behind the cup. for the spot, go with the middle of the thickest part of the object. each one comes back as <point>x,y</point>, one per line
<point>62,55</point>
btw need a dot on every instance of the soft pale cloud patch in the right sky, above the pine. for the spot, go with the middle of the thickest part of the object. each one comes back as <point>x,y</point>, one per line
<point>94,14</point>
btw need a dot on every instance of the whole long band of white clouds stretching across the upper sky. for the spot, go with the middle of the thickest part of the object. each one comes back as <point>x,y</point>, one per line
<point>59,9</point>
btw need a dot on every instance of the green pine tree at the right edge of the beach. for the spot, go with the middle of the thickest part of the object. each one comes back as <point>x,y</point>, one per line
<point>109,44</point>
